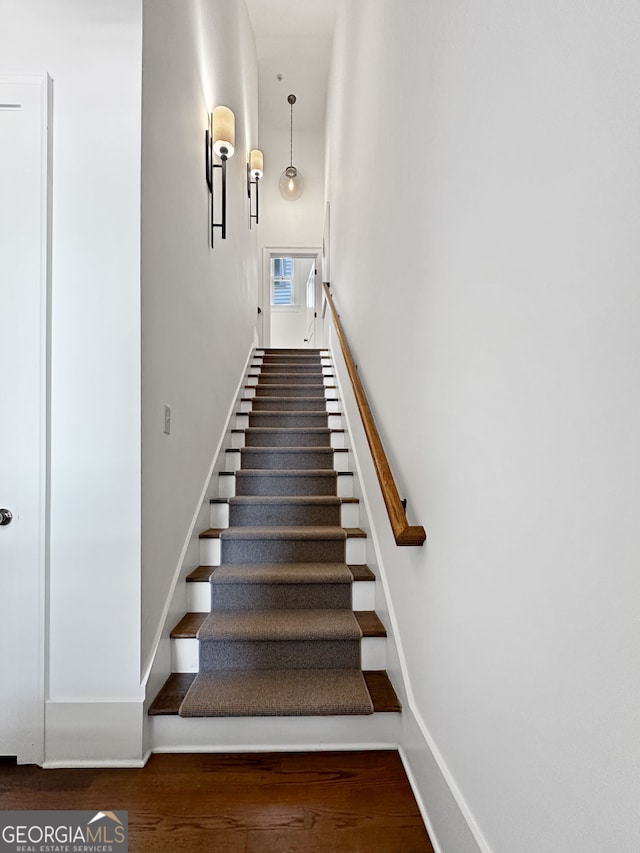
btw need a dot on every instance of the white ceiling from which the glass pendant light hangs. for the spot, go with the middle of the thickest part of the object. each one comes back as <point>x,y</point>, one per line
<point>293,42</point>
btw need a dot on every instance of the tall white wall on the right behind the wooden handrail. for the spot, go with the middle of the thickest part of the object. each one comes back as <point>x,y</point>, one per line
<point>485,268</point>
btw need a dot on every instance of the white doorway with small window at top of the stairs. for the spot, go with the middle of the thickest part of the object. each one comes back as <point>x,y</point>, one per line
<point>290,298</point>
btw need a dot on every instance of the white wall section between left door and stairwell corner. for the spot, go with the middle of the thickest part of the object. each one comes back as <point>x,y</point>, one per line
<point>93,53</point>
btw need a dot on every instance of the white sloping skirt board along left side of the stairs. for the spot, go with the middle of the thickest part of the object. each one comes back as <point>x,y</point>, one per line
<point>158,667</point>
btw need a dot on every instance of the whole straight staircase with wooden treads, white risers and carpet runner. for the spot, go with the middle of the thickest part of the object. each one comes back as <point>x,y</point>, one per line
<point>282,616</point>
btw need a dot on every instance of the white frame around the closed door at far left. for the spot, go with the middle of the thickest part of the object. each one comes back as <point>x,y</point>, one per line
<point>37,606</point>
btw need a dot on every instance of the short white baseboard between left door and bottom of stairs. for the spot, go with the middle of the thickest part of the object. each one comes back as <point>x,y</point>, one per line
<point>93,734</point>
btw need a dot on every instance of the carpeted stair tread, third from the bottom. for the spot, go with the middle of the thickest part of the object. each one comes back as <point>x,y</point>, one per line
<point>282,573</point>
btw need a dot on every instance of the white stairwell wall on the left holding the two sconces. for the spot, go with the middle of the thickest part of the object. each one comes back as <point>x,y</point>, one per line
<point>199,305</point>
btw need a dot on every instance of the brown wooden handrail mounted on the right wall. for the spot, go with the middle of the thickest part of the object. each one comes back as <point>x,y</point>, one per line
<point>404,533</point>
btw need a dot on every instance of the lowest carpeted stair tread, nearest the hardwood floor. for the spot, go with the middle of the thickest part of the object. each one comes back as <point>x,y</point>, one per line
<point>293,692</point>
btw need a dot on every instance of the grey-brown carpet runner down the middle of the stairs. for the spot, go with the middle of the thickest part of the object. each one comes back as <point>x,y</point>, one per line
<point>281,638</point>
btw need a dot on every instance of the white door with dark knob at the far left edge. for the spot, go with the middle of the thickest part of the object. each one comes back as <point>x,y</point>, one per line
<point>23,407</point>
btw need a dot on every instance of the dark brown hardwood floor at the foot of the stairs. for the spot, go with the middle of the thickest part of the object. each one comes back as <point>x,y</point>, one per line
<point>322,802</point>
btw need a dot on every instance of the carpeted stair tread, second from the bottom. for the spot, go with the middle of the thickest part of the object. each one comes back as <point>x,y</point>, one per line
<point>280,625</point>
